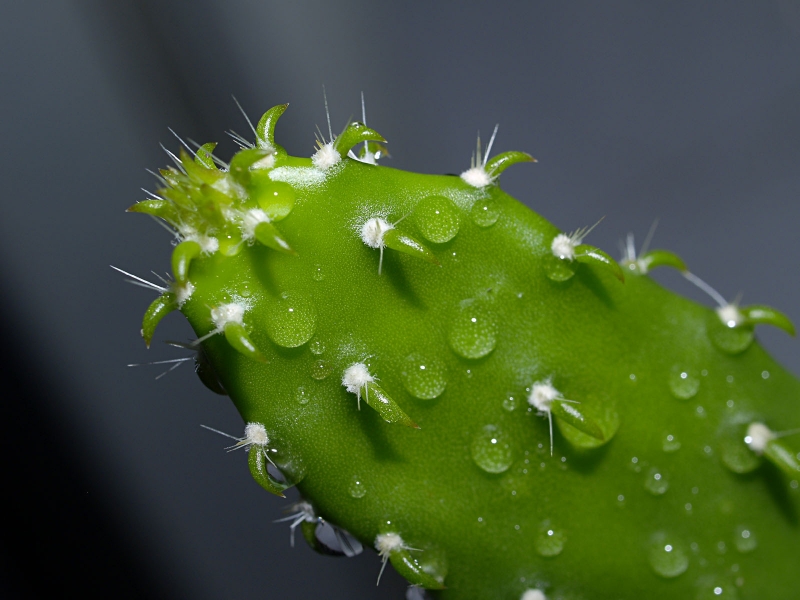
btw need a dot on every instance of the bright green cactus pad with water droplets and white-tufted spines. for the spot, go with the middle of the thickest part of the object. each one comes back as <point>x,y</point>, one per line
<point>403,345</point>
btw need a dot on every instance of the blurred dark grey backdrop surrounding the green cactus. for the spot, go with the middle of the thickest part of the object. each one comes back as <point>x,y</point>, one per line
<point>686,111</point>
